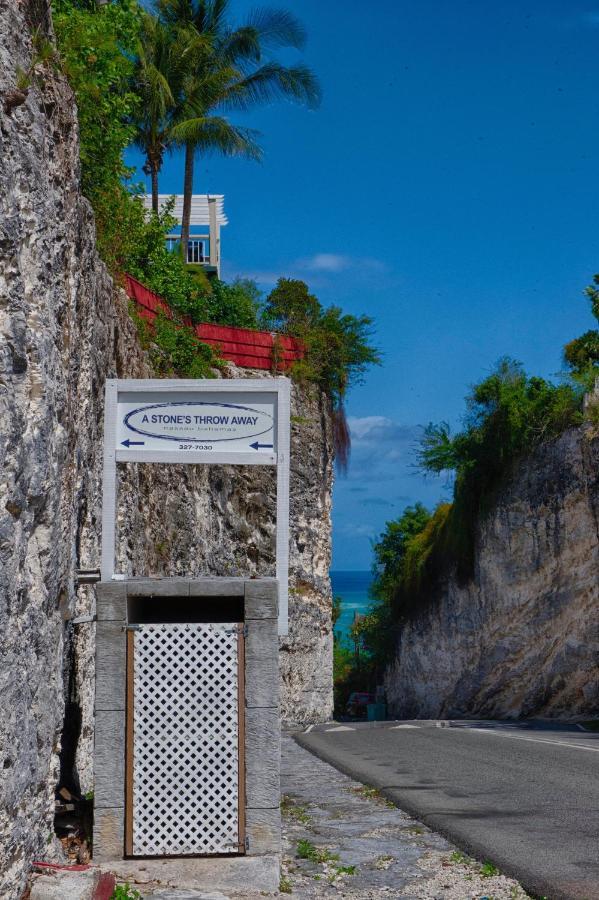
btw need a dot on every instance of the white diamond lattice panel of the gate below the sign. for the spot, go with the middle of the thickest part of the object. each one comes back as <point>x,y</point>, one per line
<point>185,757</point>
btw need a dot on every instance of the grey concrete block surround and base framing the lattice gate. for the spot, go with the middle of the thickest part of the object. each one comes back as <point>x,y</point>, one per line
<point>259,868</point>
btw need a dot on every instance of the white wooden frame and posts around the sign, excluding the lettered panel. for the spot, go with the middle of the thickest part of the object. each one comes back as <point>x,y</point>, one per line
<point>279,386</point>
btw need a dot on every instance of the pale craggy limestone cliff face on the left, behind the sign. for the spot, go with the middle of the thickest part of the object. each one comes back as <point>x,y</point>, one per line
<point>63,330</point>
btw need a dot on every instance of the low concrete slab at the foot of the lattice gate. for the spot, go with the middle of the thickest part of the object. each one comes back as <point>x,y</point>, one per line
<point>234,875</point>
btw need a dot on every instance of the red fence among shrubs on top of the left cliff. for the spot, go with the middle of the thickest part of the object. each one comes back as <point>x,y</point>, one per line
<point>242,346</point>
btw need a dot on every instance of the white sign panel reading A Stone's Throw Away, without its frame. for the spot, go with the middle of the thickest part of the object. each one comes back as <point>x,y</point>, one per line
<point>204,422</point>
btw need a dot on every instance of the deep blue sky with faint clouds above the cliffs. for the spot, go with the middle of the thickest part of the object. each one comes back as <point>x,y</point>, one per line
<point>449,187</point>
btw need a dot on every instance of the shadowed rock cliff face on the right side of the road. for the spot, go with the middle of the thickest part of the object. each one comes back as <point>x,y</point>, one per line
<point>522,638</point>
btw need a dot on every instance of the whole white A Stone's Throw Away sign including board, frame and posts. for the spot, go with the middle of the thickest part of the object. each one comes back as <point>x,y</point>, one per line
<point>236,421</point>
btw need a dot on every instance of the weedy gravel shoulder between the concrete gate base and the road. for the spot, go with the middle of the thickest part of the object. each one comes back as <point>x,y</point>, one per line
<point>359,845</point>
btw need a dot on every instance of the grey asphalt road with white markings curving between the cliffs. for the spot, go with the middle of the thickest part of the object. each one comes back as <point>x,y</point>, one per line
<point>523,795</point>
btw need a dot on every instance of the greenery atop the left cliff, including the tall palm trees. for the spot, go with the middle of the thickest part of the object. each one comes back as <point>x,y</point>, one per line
<point>162,80</point>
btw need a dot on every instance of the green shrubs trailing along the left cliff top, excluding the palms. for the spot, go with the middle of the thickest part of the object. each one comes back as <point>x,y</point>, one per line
<point>98,45</point>
